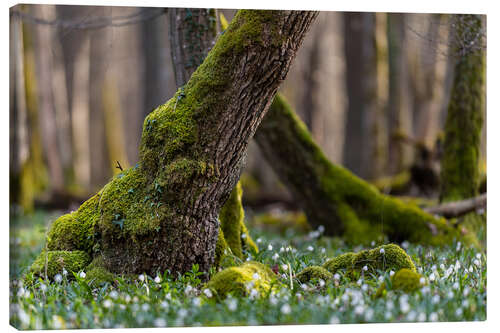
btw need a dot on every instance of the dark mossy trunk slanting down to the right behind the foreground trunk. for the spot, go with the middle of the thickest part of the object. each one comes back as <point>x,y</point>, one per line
<point>332,196</point>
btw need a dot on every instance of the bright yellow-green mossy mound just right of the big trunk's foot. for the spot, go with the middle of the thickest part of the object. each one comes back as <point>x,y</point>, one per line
<point>241,280</point>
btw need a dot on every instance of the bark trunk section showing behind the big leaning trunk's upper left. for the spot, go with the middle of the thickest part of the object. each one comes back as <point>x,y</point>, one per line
<point>192,34</point>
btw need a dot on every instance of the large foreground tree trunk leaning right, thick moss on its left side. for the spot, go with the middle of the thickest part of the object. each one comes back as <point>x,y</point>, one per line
<point>162,214</point>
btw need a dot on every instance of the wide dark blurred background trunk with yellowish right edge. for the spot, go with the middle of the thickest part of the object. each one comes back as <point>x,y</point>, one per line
<point>365,54</point>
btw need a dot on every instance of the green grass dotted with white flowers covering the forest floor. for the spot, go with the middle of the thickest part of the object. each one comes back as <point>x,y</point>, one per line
<point>455,289</point>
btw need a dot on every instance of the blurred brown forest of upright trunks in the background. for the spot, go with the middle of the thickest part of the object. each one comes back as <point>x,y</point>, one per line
<point>373,88</point>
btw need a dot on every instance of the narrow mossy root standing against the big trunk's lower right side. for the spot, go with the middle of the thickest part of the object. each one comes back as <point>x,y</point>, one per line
<point>232,223</point>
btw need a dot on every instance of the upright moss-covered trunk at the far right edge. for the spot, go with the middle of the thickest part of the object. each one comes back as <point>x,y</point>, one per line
<point>464,122</point>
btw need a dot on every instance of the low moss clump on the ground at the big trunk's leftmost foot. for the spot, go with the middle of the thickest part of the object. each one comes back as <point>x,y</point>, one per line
<point>72,261</point>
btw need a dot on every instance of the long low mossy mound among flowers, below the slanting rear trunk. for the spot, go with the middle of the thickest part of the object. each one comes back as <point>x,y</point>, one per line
<point>385,257</point>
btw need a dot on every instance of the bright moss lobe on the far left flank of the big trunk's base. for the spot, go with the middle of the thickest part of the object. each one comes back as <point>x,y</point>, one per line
<point>75,231</point>
